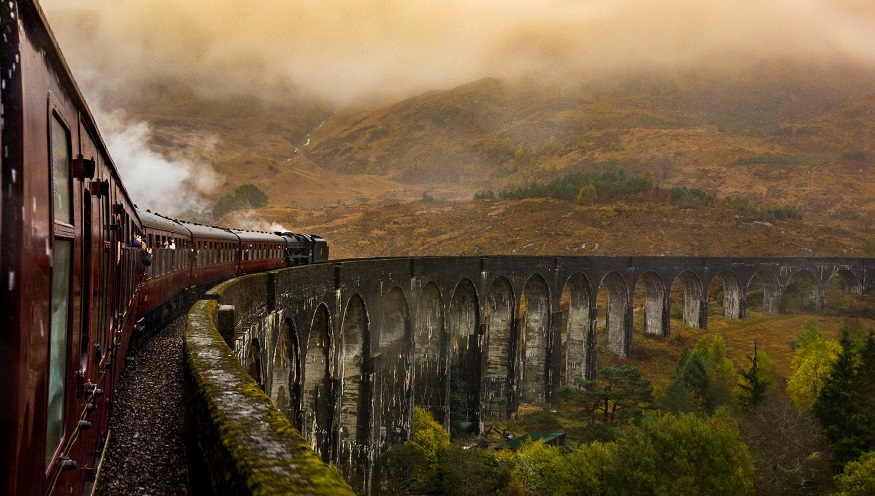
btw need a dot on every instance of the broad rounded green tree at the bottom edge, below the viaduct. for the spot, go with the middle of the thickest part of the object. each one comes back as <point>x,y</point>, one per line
<point>685,454</point>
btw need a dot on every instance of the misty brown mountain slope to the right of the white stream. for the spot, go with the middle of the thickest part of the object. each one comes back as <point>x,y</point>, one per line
<point>799,141</point>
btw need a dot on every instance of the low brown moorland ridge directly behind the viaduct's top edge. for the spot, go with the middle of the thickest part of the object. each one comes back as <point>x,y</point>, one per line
<point>552,227</point>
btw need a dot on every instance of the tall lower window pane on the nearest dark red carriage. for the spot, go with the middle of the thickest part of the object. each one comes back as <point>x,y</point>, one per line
<point>63,258</point>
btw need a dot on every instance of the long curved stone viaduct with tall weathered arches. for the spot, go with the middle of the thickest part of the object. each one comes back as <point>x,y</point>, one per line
<point>345,349</point>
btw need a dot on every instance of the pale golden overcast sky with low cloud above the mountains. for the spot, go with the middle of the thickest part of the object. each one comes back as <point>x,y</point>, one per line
<point>347,50</point>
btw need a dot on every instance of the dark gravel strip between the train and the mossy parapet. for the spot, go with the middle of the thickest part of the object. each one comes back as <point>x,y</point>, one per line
<point>146,454</point>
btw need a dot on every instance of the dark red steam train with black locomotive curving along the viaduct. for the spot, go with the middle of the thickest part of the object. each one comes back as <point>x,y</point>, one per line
<point>75,284</point>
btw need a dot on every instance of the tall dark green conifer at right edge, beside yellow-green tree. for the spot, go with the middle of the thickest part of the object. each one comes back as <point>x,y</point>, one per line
<point>846,403</point>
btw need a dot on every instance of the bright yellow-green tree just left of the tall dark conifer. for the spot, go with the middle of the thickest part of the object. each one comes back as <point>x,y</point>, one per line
<point>812,364</point>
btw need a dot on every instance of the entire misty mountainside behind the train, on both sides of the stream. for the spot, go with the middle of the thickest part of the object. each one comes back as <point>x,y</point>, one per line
<point>803,136</point>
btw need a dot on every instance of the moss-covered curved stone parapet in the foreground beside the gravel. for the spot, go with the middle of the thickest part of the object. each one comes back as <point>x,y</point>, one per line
<point>245,444</point>
